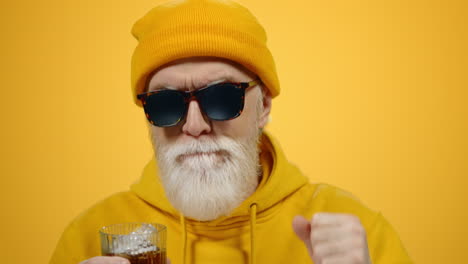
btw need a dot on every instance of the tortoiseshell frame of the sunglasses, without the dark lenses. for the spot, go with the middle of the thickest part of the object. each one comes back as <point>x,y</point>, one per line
<point>191,95</point>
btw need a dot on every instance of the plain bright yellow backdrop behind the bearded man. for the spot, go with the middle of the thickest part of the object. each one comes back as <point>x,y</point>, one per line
<point>373,101</point>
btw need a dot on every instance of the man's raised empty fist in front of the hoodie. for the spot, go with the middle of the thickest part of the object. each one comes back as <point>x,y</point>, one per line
<point>333,238</point>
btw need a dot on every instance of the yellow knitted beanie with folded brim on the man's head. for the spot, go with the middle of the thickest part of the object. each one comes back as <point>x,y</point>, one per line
<point>189,28</point>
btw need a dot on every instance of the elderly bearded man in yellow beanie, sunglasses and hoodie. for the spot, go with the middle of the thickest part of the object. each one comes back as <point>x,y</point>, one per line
<point>205,79</point>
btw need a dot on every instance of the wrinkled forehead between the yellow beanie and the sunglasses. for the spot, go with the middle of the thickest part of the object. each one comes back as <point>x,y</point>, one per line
<point>197,72</point>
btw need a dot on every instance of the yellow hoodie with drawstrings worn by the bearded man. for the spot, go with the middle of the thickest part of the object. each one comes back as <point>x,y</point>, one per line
<point>258,231</point>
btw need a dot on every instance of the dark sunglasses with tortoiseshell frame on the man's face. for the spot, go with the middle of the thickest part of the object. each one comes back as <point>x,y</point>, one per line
<point>220,102</point>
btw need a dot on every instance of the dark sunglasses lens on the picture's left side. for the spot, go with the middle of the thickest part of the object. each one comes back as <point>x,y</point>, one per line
<point>165,108</point>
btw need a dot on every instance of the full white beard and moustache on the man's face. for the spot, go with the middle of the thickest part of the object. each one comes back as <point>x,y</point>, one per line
<point>207,186</point>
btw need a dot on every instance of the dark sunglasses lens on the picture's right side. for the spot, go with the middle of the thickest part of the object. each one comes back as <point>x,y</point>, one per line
<point>222,101</point>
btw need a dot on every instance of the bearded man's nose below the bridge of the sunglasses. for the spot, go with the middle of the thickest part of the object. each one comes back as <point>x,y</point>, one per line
<point>195,123</point>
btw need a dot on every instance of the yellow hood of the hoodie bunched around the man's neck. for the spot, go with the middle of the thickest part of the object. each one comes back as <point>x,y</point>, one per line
<point>272,189</point>
